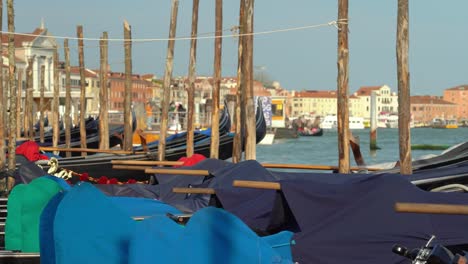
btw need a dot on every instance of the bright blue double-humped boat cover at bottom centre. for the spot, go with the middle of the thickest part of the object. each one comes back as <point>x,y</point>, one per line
<point>212,235</point>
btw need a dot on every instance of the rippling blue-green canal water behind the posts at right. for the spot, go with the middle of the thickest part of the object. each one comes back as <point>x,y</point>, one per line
<point>324,150</point>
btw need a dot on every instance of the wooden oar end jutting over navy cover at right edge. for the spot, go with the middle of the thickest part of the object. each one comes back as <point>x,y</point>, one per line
<point>428,208</point>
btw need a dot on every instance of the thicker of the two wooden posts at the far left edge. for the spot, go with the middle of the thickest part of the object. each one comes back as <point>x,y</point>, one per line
<point>13,94</point>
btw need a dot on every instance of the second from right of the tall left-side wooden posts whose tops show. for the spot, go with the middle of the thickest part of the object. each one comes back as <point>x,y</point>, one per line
<point>103,95</point>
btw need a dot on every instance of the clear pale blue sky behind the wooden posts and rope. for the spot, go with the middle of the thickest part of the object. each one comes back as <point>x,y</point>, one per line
<point>304,59</point>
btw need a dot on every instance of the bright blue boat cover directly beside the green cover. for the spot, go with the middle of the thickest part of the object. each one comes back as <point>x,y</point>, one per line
<point>86,226</point>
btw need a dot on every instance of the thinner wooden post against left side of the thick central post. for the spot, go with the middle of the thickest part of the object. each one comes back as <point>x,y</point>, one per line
<point>238,112</point>
